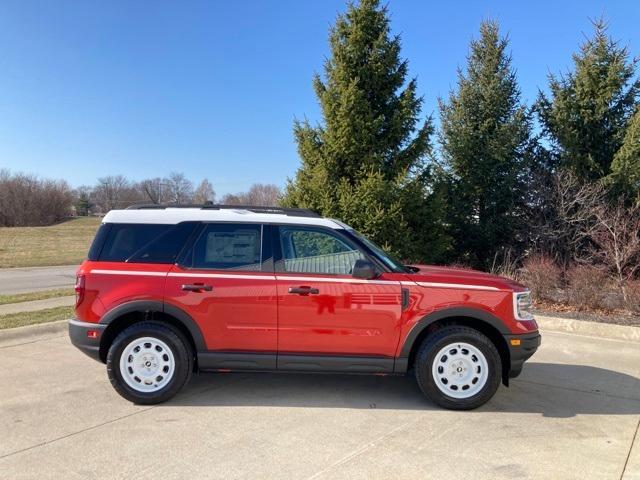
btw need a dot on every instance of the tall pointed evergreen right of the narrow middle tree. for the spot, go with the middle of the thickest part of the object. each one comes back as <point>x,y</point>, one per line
<point>589,109</point>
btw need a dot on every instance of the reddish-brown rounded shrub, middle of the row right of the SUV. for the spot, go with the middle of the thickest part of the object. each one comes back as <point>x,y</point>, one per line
<point>588,287</point>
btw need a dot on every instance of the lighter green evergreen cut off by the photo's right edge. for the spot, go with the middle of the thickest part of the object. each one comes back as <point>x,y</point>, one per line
<point>626,163</point>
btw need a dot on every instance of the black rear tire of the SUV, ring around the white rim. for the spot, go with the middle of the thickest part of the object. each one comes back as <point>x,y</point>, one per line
<point>172,338</point>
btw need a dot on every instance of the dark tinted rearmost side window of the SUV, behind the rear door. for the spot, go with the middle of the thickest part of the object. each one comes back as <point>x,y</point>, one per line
<point>143,243</point>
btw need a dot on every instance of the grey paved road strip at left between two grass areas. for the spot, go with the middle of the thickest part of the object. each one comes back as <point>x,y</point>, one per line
<point>32,279</point>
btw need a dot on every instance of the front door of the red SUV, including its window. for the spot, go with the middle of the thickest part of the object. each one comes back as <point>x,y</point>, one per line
<point>322,309</point>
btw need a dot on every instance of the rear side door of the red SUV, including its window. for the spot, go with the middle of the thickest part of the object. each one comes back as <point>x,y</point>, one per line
<point>225,282</point>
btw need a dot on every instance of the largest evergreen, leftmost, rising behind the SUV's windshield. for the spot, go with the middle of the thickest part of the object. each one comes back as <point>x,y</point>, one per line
<point>365,163</point>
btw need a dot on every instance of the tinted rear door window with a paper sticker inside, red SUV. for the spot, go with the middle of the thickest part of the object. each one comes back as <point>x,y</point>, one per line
<point>228,247</point>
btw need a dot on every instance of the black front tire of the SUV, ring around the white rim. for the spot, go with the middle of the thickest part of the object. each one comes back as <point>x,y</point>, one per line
<point>438,340</point>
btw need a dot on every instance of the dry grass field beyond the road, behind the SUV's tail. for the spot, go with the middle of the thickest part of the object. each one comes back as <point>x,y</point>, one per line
<point>65,243</point>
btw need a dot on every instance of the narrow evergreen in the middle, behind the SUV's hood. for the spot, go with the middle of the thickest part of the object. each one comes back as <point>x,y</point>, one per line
<point>485,139</point>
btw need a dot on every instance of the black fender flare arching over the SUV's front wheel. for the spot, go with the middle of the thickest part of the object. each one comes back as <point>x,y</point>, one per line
<point>452,312</point>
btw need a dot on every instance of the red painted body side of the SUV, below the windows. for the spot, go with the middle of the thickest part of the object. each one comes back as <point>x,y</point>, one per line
<point>253,311</point>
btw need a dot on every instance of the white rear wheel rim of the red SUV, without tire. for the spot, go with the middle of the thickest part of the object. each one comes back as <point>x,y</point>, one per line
<point>147,364</point>
